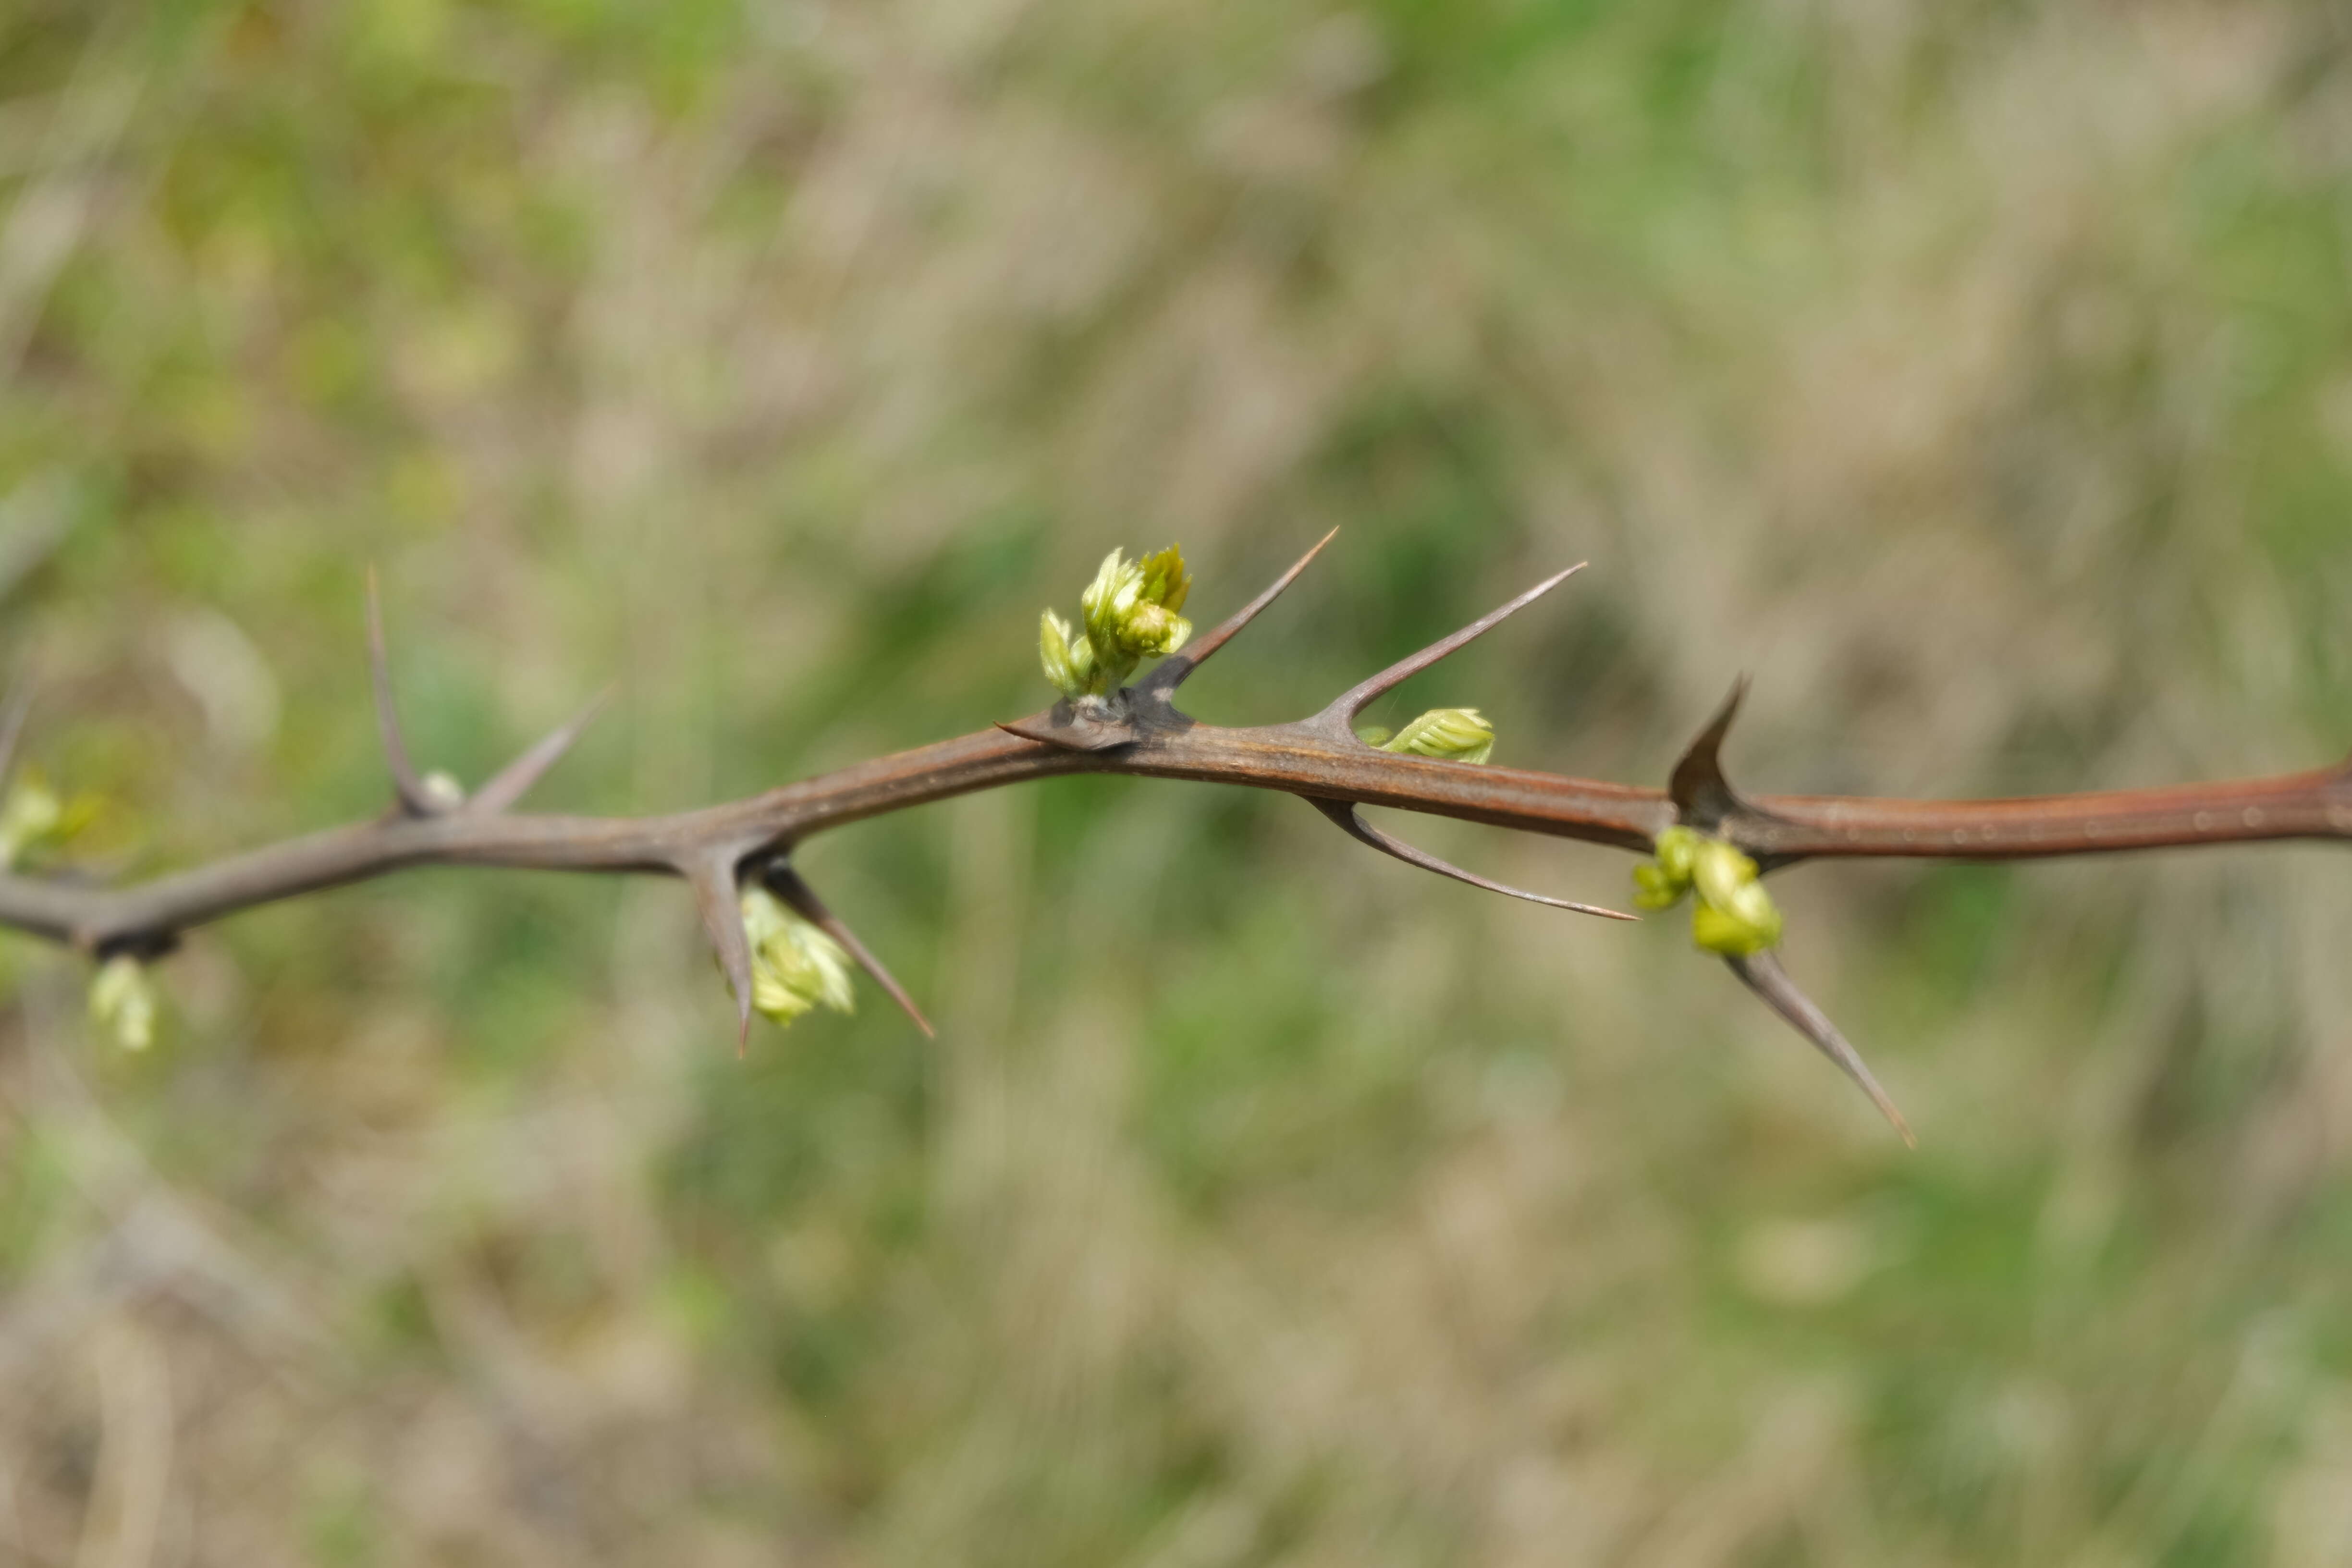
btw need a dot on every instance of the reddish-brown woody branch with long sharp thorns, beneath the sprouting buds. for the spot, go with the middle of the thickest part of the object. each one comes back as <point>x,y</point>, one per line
<point>1140,730</point>
